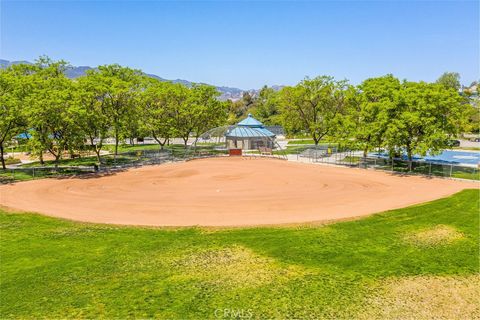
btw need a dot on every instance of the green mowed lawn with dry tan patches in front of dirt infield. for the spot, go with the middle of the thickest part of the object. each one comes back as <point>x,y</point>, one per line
<point>418,262</point>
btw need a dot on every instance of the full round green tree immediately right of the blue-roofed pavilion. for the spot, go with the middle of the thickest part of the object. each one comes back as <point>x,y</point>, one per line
<point>315,105</point>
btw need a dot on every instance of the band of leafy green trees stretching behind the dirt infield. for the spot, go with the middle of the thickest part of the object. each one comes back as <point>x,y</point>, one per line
<point>65,115</point>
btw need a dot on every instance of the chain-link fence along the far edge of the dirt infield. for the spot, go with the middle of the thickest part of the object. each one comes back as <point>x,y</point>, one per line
<point>327,153</point>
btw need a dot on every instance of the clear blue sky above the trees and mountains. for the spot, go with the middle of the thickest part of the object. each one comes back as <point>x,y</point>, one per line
<point>247,44</point>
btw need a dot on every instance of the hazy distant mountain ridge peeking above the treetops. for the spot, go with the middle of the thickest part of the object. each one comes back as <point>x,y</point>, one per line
<point>226,92</point>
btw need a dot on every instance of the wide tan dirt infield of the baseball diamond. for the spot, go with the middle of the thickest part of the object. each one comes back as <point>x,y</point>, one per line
<point>225,192</point>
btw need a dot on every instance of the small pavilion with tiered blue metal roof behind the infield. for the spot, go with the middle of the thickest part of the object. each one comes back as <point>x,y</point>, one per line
<point>249,134</point>
